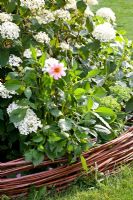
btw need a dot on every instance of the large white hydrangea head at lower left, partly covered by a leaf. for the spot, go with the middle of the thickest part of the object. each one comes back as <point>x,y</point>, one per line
<point>31,123</point>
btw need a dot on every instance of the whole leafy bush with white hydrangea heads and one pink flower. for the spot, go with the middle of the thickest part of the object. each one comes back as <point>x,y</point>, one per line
<point>65,78</point>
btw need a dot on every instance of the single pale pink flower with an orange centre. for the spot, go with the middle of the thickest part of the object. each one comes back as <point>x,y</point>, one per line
<point>57,70</point>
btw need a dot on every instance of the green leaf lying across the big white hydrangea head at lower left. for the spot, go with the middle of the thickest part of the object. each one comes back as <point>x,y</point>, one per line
<point>18,115</point>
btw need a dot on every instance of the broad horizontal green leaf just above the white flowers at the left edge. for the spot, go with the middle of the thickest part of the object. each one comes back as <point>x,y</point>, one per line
<point>13,84</point>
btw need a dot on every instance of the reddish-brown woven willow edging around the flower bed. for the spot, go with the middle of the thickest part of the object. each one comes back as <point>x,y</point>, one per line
<point>106,157</point>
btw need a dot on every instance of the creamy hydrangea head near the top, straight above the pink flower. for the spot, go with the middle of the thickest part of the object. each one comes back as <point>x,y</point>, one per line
<point>62,14</point>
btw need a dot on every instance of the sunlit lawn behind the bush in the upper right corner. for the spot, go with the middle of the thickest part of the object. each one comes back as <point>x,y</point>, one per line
<point>124,13</point>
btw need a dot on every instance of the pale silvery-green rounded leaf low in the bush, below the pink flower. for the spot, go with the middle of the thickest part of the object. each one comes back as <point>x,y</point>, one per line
<point>65,124</point>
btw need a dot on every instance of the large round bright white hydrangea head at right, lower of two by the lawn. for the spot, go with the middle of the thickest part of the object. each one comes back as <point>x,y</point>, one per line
<point>104,32</point>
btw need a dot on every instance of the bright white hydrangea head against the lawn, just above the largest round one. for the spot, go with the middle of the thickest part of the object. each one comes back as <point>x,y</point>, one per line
<point>106,13</point>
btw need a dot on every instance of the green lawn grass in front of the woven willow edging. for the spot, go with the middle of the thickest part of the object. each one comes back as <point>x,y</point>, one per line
<point>118,187</point>
